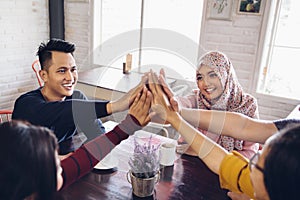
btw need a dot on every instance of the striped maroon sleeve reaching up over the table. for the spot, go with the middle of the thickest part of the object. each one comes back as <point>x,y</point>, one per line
<point>86,157</point>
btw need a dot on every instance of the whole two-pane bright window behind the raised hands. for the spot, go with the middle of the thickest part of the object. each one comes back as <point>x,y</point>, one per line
<point>158,34</point>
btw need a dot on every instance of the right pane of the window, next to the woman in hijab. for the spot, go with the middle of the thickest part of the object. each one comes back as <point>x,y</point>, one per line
<point>183,21</point>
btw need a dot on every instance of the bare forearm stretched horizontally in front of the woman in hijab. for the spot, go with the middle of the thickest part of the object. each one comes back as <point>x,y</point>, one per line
<point>231,124</point>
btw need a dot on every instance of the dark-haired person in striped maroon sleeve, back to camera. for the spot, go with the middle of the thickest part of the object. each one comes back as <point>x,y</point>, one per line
<point>30,167</point>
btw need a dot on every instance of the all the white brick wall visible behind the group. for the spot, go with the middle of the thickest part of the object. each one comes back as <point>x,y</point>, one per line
<point>24,24</point>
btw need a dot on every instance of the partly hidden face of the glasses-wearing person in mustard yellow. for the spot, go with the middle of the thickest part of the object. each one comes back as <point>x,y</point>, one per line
<point>257,177</point>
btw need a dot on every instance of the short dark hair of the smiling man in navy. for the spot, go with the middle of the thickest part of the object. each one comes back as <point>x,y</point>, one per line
<point>45,54</point>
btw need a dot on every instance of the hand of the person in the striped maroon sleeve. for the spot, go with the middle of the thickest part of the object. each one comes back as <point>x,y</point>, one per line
<point>141,105</point>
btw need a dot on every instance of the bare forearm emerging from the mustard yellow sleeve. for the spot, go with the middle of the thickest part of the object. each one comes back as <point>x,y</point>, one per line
<point>210,152</point>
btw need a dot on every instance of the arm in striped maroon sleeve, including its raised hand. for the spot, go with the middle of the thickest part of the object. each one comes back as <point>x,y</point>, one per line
<point>86,157</point>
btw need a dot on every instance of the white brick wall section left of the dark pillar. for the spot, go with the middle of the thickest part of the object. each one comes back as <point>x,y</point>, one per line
<point>24,24</point>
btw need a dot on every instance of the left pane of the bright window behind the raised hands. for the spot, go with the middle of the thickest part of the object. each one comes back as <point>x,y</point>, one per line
<point>116,30</point>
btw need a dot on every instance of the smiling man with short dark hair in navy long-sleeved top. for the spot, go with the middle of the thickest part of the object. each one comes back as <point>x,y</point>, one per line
<point>57,105</point>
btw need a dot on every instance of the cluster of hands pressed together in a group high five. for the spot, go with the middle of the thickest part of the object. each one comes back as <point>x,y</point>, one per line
<point>157,104</point>
